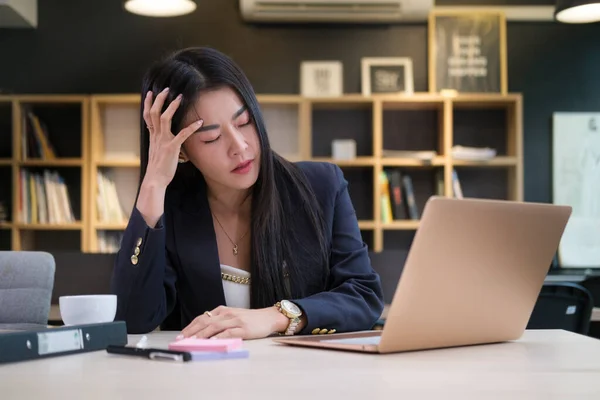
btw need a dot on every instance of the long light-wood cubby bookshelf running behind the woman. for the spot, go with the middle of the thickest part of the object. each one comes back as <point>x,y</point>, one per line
<point>99,147</point>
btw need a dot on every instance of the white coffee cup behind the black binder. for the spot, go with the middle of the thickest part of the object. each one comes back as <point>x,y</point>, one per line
<point>88,309</point>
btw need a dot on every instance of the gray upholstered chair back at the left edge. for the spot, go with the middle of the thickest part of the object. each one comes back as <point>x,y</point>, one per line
<point>26,282</point>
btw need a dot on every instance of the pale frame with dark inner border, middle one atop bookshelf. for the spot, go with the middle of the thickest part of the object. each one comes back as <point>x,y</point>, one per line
<point>386,75</point>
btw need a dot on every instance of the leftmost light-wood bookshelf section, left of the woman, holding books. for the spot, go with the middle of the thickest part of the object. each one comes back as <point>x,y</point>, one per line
<point>43,161</point>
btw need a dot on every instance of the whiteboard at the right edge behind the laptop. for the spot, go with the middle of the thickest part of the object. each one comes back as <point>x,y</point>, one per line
<point>576,182</point>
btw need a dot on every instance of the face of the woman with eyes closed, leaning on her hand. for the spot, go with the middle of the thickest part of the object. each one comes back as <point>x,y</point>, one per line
<point>226,148</point>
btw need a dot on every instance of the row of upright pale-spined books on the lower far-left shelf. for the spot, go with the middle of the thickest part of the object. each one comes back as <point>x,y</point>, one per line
<point>44,198</point>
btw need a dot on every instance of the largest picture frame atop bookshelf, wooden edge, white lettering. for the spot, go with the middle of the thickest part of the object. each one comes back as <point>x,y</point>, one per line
<point>467,51</point>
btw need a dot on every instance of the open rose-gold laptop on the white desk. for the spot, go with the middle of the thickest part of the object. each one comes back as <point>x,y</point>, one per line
<point>472,276</point>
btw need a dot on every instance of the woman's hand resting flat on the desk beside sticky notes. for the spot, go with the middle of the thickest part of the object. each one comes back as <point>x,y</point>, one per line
<point>226,322</point>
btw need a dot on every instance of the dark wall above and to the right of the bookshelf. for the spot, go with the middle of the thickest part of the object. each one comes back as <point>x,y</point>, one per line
<point>97,47</point>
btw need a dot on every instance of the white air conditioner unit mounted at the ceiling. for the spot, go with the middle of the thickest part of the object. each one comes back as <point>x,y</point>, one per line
<point>335,11</point>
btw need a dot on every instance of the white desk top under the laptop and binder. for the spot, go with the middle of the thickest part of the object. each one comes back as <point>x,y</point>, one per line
<point>542,364</point>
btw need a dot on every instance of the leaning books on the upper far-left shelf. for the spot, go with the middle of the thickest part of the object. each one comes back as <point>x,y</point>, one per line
<point>34,139</point>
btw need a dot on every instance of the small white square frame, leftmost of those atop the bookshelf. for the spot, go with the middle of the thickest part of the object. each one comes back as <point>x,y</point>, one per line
<point>321,78</point>
